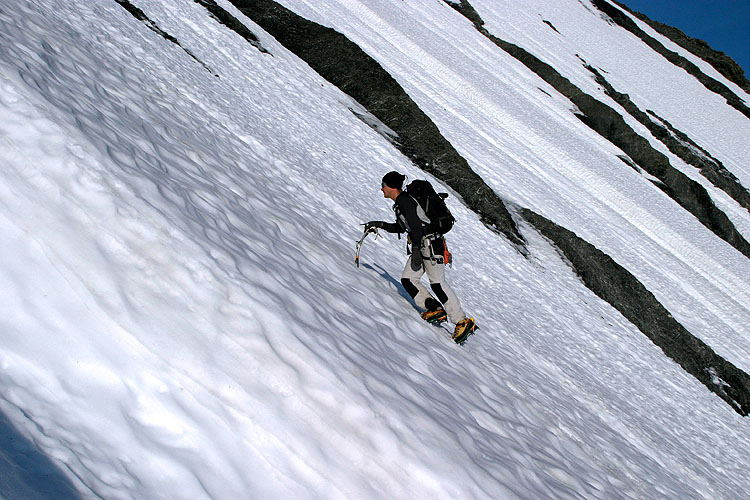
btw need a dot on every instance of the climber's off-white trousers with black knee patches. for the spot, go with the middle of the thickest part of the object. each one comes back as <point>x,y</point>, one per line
<point>435,268</point>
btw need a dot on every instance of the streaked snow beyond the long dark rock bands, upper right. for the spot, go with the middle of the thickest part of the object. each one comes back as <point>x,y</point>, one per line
<point>533,151</point>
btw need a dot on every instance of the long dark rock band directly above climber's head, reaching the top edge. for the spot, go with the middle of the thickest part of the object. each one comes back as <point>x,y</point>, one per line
<point>344,64</point>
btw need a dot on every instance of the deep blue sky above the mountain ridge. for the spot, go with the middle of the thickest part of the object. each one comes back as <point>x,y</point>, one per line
<point>724,24</point>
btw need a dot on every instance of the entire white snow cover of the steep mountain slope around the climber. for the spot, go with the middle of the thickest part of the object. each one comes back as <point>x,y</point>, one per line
<point>182,319</point>
